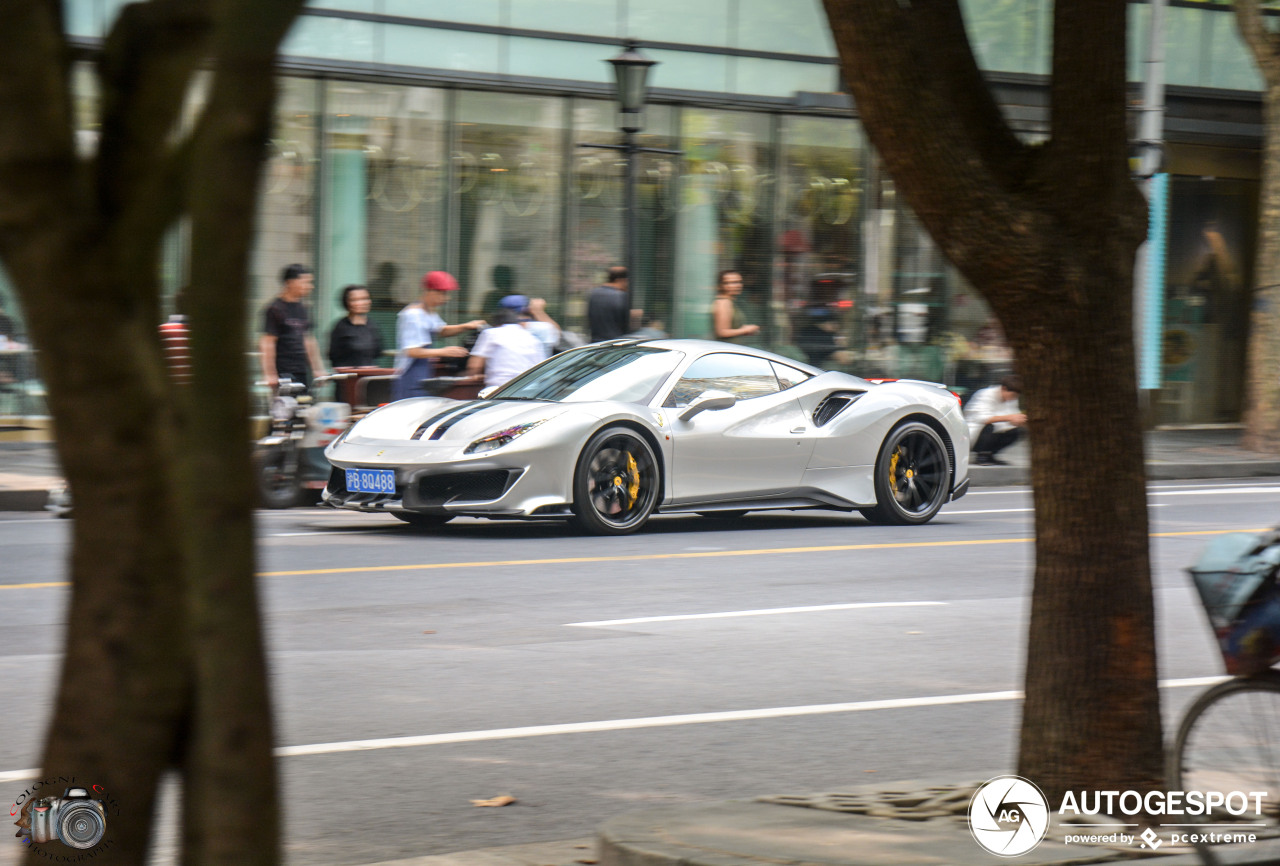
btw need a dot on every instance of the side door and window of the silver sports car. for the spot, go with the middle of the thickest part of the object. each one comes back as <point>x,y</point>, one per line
<point>760,447</point>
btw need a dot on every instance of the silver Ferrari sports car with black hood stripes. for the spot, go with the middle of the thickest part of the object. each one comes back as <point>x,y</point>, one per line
<point>612,433</point>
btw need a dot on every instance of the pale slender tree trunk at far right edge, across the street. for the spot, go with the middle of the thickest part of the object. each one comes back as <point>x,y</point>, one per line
<point>1263,370</point>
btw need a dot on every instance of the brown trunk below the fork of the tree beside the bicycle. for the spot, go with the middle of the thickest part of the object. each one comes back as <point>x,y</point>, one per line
<point>1092,713</point>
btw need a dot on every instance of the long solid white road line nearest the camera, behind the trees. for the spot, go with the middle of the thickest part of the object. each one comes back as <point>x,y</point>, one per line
<point>651,722</point>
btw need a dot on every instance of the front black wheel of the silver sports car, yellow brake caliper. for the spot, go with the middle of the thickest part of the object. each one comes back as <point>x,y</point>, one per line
<point>618,483</point>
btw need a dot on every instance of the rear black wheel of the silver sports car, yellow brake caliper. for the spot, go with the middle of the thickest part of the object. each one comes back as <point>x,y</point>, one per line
<point>913,476</point>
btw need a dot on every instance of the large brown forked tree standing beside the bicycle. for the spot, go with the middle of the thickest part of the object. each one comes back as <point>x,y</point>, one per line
<point>1048,235</point>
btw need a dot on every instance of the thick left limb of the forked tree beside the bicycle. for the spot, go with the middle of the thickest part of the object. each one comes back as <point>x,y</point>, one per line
<point>941,138</point>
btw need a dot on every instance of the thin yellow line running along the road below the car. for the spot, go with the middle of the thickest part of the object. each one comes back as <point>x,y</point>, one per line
<point>701,555</point>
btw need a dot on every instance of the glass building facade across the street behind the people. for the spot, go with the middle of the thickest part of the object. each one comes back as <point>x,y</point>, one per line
<point>422,135</point>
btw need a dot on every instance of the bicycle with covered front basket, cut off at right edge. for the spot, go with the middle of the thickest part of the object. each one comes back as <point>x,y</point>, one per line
<point>1229,737</point>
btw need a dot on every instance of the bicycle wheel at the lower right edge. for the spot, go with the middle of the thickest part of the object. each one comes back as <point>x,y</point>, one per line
<point>1229,740</point>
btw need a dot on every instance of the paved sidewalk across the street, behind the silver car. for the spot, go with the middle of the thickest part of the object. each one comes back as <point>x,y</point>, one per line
<point>29,470</point>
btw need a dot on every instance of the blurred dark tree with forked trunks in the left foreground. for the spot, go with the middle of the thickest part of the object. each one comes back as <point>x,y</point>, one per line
<point>164,661</point>
